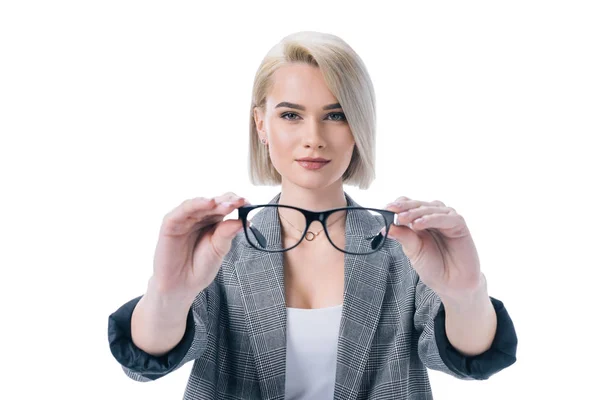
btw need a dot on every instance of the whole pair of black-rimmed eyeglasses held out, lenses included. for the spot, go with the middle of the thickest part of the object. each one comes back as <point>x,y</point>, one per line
<point>366,228</point>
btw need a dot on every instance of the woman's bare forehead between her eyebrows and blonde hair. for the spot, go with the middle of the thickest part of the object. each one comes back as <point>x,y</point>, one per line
<point>302,84</point>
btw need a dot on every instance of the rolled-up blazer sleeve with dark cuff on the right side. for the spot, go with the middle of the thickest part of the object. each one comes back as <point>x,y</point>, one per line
<point>436,352</point>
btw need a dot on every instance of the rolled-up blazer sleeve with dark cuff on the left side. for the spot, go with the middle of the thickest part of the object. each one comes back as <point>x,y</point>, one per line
<point>144,367</point>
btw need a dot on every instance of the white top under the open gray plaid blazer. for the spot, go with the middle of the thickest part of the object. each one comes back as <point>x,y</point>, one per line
<point>311,352</point>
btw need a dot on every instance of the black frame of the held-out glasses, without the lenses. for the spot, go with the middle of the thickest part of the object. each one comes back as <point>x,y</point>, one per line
<point>389,216</point>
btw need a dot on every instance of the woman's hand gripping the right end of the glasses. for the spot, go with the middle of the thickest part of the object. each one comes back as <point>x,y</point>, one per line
<point>439,246</point>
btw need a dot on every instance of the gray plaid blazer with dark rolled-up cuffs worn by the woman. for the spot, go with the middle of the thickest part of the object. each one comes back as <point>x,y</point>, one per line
<point>392,328</point>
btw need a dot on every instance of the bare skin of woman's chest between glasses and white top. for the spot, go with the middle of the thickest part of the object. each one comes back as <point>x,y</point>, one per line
<point>314,276</point>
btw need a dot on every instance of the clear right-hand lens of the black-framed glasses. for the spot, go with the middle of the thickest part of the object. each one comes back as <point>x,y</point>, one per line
<point>366,238</point>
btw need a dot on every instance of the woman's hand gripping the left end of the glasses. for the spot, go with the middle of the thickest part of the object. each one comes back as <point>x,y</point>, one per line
<point>192,243</point>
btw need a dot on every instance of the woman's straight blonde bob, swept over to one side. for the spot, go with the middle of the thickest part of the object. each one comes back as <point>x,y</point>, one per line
<point>346,77</point>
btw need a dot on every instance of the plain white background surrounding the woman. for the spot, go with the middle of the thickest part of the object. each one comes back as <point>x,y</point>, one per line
<point>114,112</point>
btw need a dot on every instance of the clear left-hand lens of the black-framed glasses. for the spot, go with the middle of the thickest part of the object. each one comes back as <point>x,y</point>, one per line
<point>262,236</point>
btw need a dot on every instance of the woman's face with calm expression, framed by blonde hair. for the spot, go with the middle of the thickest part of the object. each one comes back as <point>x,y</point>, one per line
<point>303,119</point>
